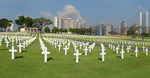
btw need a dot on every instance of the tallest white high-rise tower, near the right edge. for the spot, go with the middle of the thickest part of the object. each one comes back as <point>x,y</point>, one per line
<point>144,22</point>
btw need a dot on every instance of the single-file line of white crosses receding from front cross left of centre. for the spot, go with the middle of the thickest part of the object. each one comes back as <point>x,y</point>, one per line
<point>44,49</point>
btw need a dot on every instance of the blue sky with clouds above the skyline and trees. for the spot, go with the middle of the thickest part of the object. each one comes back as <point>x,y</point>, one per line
<point>90,11</point>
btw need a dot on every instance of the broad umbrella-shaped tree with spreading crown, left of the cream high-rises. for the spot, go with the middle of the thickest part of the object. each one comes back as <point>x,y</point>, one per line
<point>41,22</point>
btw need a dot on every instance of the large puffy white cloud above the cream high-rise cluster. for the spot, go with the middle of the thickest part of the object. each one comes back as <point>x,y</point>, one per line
<point>71,12</point>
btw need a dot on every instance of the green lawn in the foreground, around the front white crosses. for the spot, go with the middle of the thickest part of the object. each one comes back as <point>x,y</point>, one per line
<point>29,64</point>
